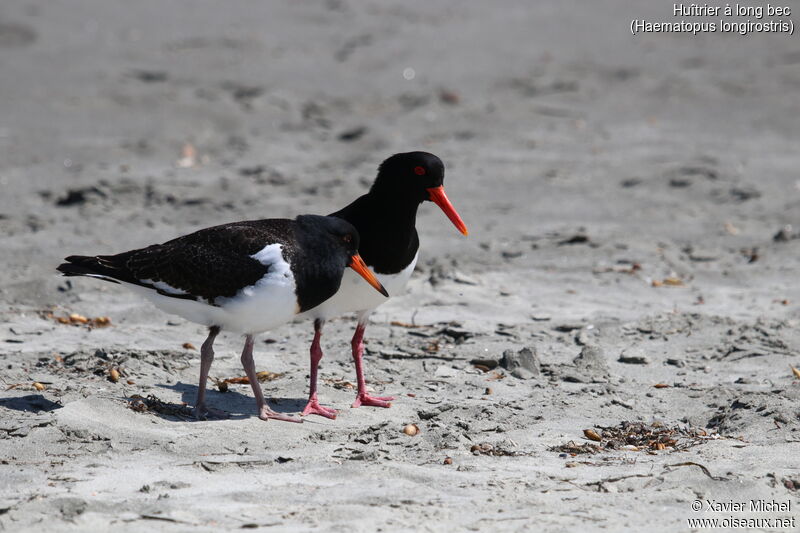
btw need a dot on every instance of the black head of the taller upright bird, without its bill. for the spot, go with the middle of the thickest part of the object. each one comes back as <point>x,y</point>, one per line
<point>409,175</point>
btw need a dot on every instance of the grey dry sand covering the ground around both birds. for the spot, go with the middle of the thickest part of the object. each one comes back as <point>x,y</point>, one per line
<point>590,166</point>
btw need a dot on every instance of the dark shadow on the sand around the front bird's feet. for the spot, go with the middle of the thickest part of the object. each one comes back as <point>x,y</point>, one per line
<point>237,405</point>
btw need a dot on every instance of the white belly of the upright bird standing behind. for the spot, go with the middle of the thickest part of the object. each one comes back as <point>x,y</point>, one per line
<point>356,295</point>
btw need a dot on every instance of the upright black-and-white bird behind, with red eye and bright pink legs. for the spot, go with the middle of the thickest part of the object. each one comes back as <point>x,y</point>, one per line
<point>385,218</point>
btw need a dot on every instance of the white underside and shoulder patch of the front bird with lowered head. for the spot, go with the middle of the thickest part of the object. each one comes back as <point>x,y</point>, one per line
<point>269,302</point>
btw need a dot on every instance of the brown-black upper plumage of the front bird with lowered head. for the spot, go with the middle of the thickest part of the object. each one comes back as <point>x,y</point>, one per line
<point>217,262</point>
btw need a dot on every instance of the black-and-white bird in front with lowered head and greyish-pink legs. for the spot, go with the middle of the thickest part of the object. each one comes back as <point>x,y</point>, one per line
<point>245,277</point>
